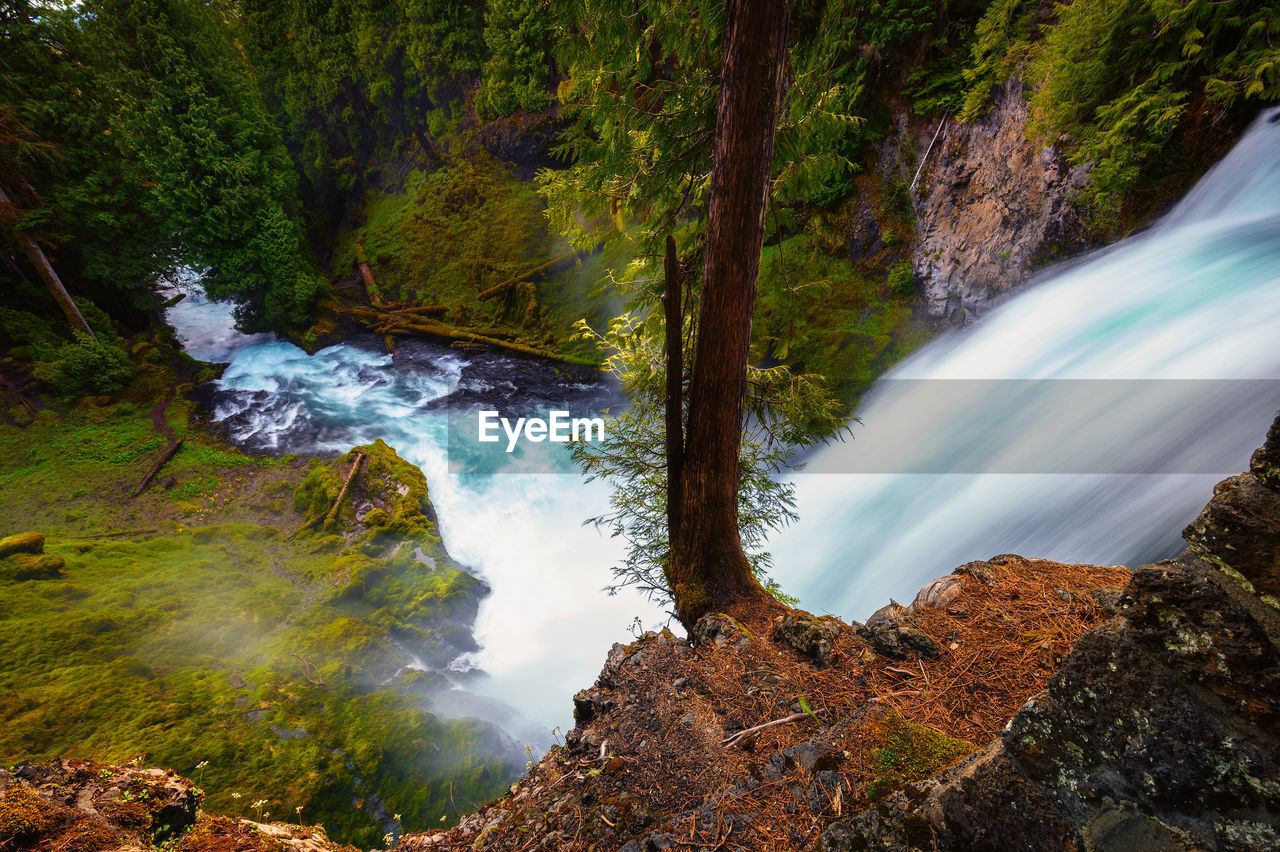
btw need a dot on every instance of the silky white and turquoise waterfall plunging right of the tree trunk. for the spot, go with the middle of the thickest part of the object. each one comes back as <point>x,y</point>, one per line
<point>1163,350</point>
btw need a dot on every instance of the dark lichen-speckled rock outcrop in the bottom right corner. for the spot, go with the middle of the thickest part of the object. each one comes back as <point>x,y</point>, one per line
<point>1162,731</point>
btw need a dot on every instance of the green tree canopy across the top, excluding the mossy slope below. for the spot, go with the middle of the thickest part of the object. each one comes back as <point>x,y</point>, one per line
<point>236,138</point>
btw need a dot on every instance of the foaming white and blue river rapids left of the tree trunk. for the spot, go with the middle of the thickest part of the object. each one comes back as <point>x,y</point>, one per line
<point>546,625</point>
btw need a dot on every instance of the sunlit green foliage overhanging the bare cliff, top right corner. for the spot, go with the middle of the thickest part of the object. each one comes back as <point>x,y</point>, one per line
<point>1121,77</point>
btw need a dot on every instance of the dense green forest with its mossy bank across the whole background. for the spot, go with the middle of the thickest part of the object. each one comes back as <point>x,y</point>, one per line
<point>269,145</point>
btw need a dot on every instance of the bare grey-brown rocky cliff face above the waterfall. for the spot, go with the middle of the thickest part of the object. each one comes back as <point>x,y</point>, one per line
<point>991,207</point>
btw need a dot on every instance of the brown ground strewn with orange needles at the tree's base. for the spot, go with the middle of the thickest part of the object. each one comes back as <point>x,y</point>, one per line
<point>650,754</point>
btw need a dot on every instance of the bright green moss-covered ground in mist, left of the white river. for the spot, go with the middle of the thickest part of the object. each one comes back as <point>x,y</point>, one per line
<point>194,629</point>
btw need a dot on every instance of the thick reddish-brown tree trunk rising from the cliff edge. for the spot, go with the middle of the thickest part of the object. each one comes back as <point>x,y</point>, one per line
<point>708,566</point>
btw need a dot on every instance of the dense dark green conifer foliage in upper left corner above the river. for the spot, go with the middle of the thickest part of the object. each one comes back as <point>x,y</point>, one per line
<point>164,157</point>
